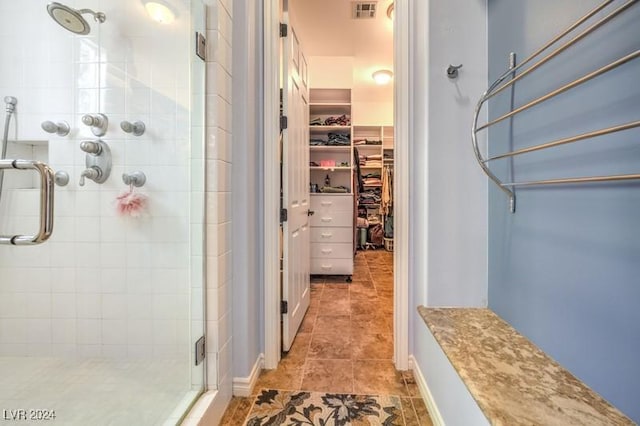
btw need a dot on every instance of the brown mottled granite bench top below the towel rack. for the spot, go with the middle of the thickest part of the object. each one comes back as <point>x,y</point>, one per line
<point>514,382</point>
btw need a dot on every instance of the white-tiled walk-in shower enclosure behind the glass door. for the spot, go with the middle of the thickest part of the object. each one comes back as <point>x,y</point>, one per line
<point>99,323</point>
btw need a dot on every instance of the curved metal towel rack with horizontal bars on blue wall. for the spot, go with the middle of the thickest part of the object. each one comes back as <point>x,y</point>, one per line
<point>497,87</point>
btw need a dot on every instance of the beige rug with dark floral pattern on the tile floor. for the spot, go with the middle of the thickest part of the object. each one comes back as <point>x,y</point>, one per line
<point>297,408</point>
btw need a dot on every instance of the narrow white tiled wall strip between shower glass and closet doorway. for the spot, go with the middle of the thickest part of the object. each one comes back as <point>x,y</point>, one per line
<point>218,182</point>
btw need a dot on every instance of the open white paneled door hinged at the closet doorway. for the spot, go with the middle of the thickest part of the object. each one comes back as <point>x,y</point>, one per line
<point>295,184</point>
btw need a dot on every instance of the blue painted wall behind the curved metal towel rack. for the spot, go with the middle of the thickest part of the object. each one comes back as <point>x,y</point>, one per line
<point>565,268</point>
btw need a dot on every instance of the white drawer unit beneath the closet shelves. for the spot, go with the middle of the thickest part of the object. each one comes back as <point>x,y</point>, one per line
<point>332,234</point>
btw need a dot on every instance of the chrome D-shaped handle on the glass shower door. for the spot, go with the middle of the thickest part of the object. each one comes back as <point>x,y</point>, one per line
<point>47,181</point>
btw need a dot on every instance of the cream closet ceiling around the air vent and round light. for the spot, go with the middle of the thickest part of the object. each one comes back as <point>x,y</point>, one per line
<point>325,28</point>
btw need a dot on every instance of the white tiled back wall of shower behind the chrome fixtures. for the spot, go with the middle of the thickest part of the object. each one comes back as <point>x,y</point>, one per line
<point>104,285</point>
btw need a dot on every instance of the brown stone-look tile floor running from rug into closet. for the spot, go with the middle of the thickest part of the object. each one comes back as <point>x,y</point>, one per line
<point>345,343</point>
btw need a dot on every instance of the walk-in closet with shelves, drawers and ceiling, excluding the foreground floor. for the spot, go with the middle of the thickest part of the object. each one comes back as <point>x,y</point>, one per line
<point>346,50</point>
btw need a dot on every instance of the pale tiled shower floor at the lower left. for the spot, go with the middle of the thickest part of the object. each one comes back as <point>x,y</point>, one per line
<point>94,391</point>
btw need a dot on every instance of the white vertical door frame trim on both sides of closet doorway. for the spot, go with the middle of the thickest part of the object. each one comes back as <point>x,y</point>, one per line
<point>271,187</point>
